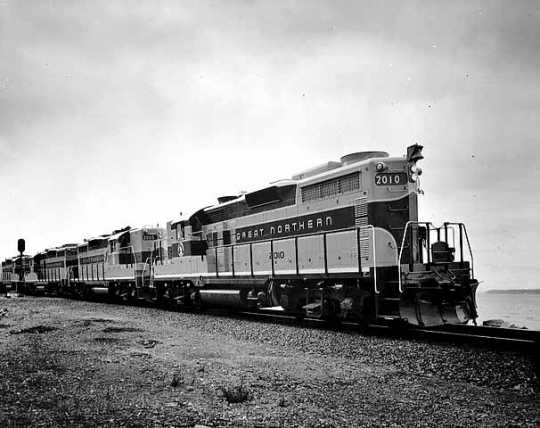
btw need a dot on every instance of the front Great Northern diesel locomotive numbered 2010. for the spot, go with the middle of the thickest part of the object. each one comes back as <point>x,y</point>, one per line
<point>341,240</point>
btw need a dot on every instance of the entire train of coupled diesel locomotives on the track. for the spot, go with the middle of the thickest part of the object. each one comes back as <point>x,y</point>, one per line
<point>340,241</point>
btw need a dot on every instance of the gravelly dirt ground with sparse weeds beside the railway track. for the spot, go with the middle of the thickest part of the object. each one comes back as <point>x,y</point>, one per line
<point>82,364</point>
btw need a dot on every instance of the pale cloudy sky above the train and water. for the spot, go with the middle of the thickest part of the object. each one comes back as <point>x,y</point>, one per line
<point>116,113</point>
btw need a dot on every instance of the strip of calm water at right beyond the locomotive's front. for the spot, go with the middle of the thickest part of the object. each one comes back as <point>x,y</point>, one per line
<point>523,310</point>
